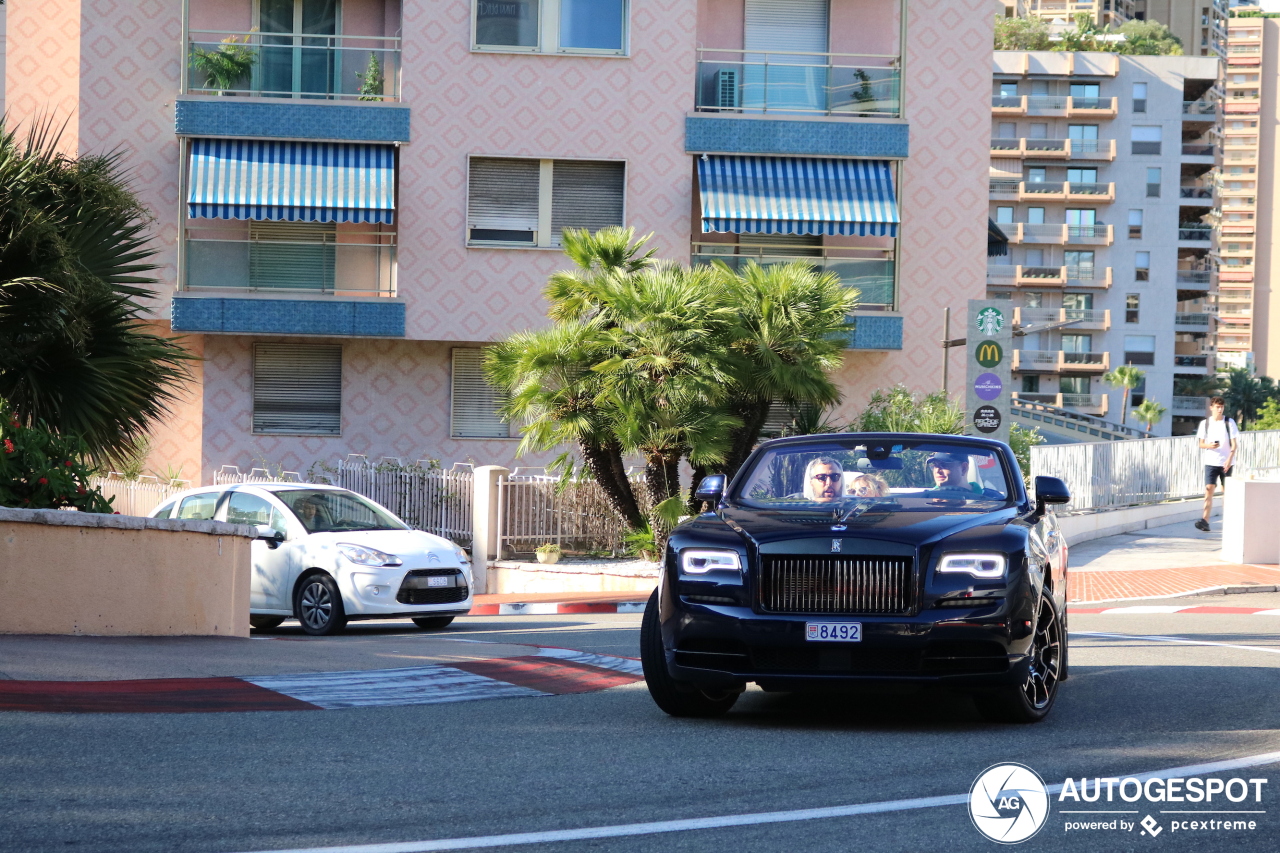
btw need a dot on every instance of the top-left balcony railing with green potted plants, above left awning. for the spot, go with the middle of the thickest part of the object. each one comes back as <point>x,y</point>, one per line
<point>360,69</point>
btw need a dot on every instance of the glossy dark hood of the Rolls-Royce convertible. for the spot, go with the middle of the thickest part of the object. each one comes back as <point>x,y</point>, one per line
<point>909,528</point>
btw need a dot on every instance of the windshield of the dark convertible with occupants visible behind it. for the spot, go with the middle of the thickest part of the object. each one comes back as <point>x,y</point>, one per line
<point>854,476</point>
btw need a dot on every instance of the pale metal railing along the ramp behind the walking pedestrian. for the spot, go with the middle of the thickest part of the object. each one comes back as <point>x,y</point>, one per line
<point>1116,475</point>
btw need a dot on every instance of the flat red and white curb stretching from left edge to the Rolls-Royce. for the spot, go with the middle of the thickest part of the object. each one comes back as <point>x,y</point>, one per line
<point>550,672</point>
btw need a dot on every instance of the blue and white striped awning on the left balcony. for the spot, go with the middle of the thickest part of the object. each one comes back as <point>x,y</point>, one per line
<point>292,181</point>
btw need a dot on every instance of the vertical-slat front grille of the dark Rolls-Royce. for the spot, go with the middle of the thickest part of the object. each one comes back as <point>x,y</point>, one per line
<point>853,585</point>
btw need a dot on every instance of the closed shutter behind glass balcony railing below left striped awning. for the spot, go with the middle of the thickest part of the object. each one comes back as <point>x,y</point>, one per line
<point>291,256</point>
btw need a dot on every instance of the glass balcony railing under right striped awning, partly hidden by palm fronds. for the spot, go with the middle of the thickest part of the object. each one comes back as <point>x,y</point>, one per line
<point>874,277</point>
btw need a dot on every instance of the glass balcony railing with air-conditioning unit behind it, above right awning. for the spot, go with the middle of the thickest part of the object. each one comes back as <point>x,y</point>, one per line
<point>776,81</point>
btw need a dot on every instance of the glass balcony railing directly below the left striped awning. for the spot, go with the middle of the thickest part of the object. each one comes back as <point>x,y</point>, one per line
<point>322,268</point>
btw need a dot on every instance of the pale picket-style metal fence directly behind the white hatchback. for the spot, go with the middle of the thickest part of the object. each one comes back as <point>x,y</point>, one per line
<point>423,495</point>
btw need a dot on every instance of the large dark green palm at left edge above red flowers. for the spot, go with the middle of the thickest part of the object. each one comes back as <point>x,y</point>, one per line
<point>75,346</point>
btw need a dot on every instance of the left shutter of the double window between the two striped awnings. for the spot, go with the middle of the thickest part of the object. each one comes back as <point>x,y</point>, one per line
<point>502,197</point>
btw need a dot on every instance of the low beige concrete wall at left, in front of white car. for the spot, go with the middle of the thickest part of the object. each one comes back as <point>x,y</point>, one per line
<point>79,573</point>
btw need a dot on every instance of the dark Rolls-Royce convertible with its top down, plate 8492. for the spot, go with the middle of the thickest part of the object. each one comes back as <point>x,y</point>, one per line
<point>860,559</point>
